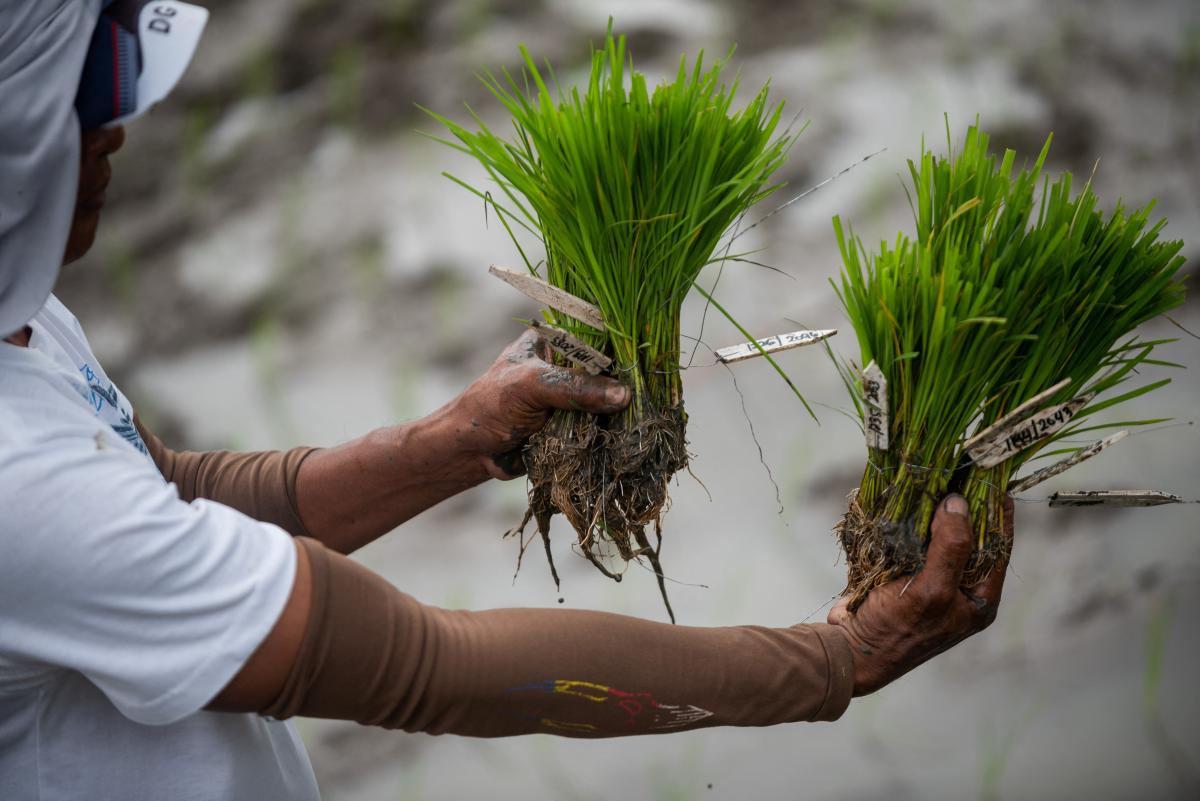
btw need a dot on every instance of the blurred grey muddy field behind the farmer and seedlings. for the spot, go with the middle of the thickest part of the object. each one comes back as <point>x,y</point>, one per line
<point>284,263</point>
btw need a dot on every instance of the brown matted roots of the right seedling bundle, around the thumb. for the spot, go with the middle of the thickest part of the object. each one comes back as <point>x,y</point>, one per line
<point>879,552</point>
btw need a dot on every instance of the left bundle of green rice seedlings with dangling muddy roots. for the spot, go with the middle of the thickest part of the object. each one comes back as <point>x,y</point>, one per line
<point>631,191</point>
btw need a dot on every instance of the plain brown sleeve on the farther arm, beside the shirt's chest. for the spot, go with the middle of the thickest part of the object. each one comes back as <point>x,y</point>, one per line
<point>262,485</point>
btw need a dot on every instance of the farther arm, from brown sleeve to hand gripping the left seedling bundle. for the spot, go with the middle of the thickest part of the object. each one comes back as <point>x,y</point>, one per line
<point>351,495</point>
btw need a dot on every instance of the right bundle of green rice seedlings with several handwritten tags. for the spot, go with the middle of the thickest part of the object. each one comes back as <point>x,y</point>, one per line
<point>1005,293</point>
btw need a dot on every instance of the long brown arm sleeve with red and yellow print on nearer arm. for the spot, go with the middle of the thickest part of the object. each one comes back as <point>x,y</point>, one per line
<point>374,655</point>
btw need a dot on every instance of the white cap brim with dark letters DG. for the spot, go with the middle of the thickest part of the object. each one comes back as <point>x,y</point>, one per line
<point>169,34</point>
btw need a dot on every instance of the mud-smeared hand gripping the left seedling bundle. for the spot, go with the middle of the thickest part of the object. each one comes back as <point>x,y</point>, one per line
<point>515,399</point>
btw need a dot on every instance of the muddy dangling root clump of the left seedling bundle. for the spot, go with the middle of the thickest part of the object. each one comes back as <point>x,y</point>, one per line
<point>609,478</point>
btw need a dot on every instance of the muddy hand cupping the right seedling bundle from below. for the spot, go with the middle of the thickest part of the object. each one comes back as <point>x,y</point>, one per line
<point>914,619</point>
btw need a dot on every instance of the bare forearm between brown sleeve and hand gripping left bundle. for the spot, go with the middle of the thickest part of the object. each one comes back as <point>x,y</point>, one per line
<point>355,493</point>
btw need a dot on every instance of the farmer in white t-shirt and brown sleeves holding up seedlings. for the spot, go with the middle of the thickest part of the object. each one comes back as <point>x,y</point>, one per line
<point>164,615</point>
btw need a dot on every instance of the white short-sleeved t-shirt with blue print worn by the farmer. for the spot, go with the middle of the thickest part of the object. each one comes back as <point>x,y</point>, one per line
<point>123,610</point>
